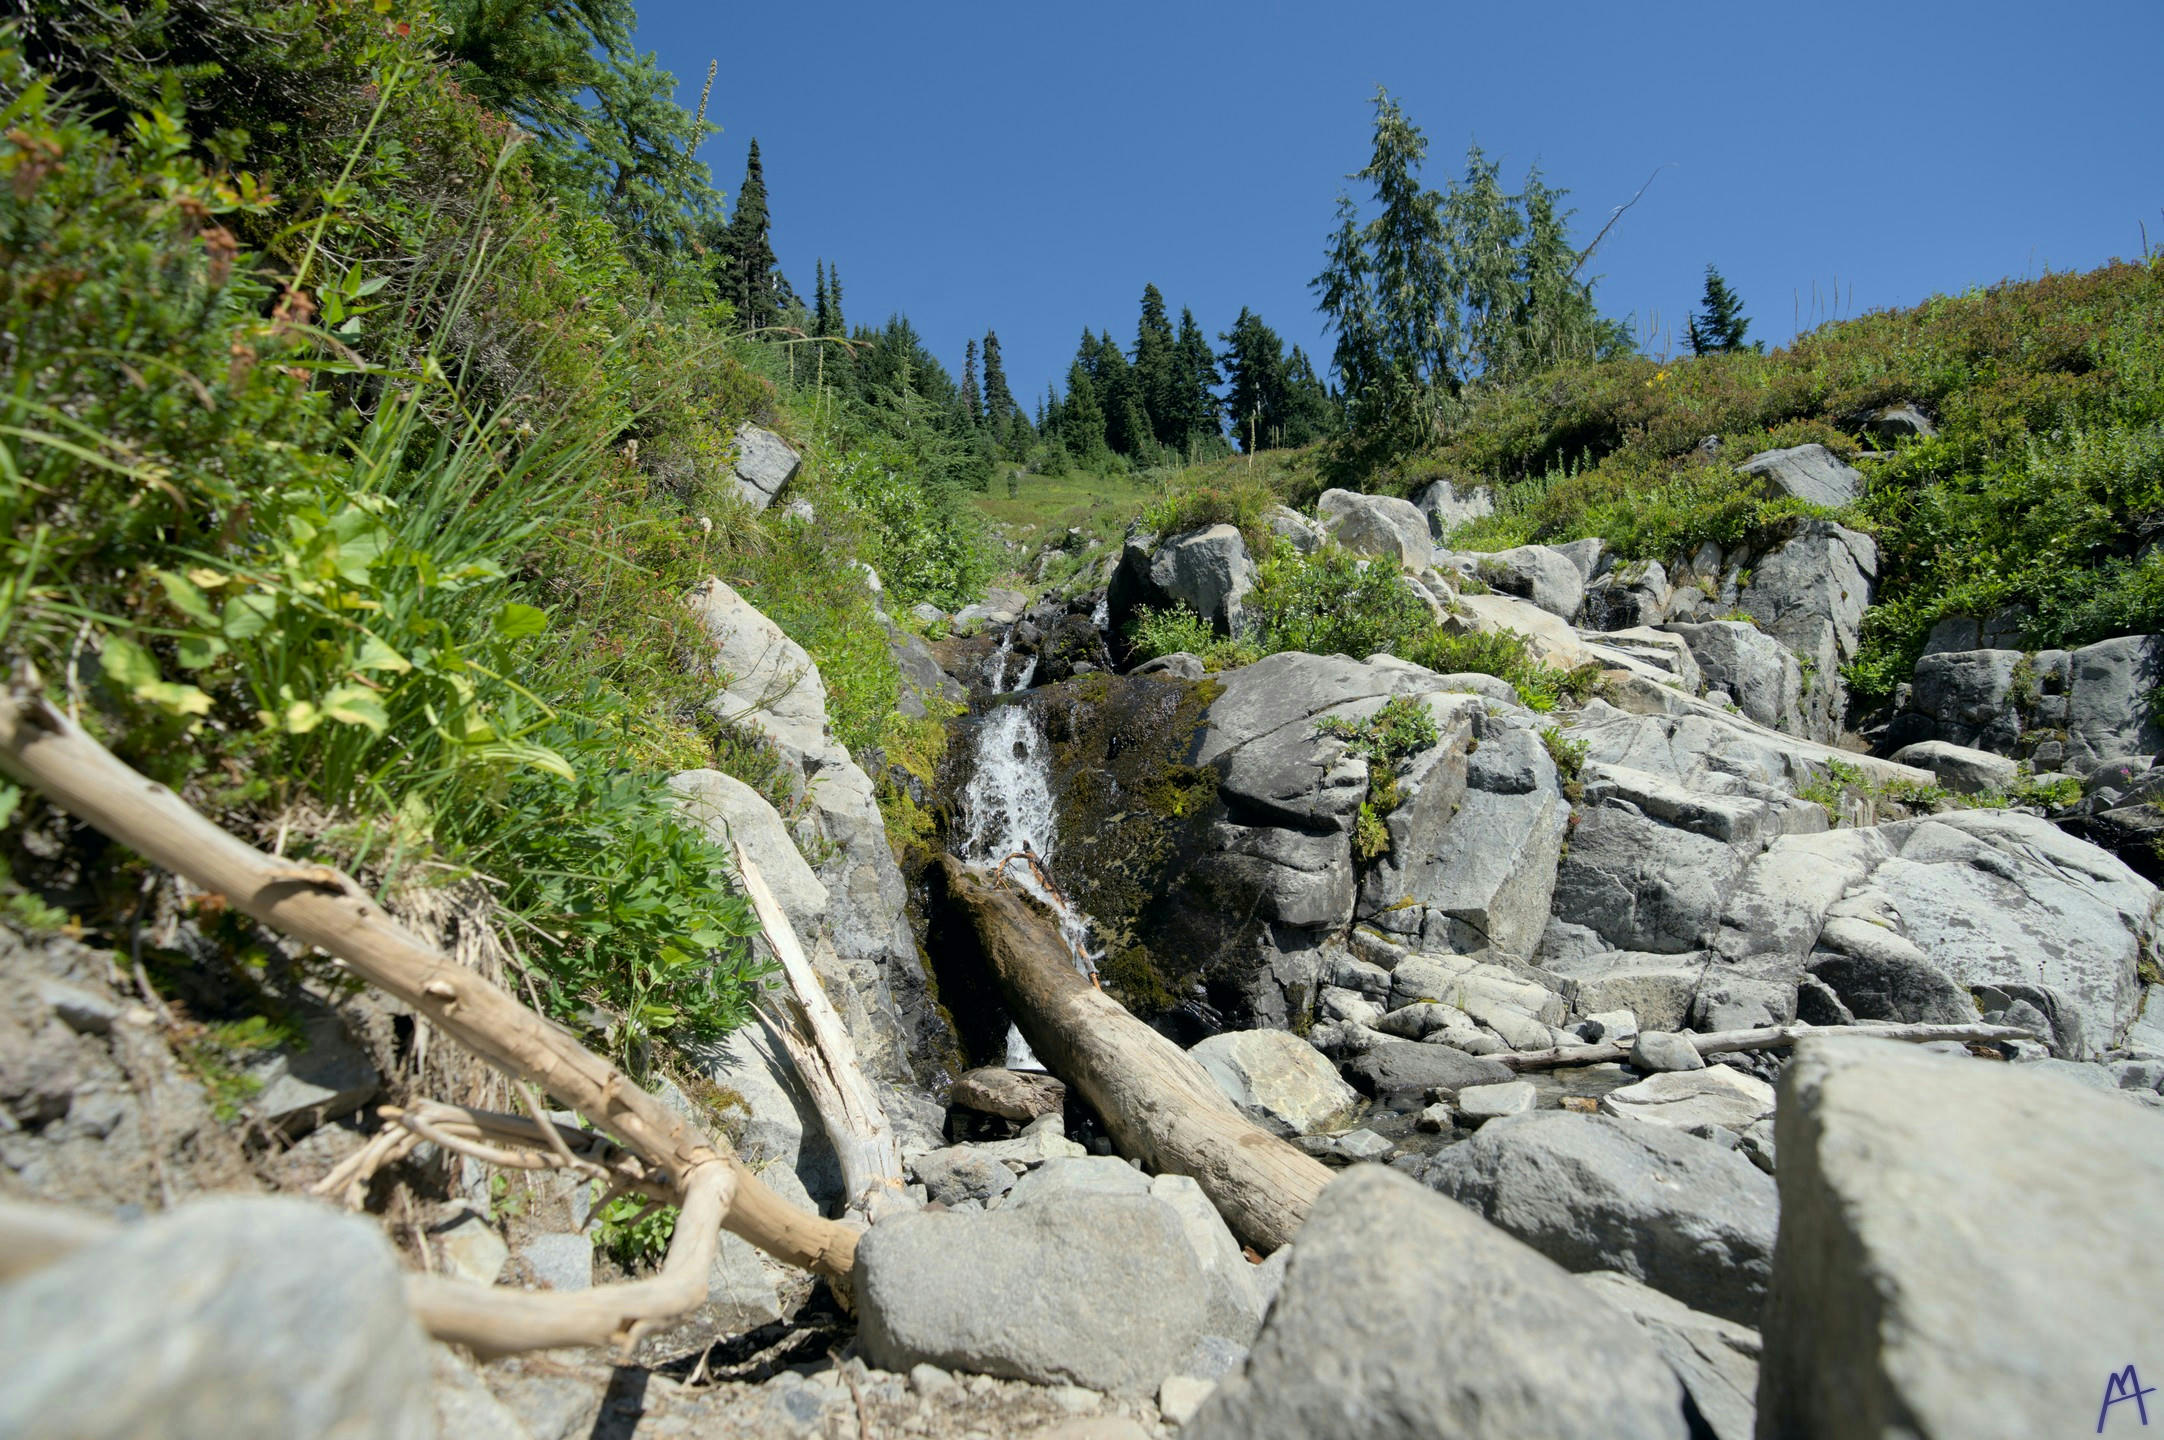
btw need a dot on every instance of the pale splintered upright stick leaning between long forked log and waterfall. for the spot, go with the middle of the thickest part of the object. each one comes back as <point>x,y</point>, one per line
<point>819,1045</point>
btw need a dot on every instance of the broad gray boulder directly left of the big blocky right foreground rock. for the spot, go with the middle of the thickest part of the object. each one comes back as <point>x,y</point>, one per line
<point>1589,1192</point>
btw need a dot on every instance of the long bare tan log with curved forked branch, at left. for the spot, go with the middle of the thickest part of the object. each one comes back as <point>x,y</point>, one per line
<point>326,908</point>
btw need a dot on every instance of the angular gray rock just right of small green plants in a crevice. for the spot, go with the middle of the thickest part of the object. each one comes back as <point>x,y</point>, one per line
<point>1473,848</point>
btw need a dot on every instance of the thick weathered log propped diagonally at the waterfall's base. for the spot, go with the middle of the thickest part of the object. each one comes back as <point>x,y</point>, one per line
<point>1157,1101</point>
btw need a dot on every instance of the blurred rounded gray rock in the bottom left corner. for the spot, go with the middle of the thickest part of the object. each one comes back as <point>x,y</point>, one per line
<point>241,1320</point>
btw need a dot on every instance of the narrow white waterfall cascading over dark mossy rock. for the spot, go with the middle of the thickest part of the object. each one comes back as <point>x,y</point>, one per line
<point>1007,811</point>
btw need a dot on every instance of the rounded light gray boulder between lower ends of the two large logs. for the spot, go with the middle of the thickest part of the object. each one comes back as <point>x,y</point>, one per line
<point>1085,1290</point>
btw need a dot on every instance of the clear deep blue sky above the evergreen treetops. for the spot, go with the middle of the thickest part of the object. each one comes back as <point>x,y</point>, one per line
<point>1031,168</point>
